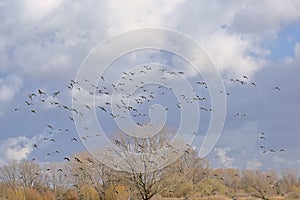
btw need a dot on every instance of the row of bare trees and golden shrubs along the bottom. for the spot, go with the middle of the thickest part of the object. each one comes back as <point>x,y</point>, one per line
<point>82,177</point>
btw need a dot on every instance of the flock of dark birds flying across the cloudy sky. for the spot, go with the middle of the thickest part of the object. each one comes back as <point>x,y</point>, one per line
<point>141,99</point>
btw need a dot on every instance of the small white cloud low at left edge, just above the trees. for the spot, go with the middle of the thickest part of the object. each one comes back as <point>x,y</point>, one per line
<point>16,148</point>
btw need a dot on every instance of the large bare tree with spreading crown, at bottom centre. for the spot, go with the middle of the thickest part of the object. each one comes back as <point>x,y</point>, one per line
<point>144,166</point>
